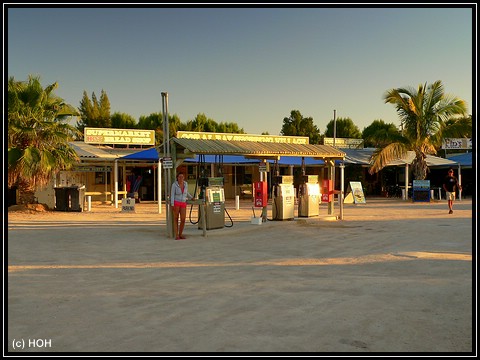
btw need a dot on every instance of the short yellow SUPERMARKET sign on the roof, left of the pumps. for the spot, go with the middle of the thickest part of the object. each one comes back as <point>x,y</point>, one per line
<point>119,136</point>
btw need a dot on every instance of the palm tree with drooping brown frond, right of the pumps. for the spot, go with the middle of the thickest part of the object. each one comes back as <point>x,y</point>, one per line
<point>423,114</point>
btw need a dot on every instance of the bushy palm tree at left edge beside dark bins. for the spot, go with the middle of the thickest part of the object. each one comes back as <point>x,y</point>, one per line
<point>37,136</point>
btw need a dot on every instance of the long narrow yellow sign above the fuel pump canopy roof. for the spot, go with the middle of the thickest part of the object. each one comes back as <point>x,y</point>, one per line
<point>242,137</point>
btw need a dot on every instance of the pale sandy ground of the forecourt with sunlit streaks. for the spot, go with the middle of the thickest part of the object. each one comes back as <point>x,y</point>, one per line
<point>392,277</point>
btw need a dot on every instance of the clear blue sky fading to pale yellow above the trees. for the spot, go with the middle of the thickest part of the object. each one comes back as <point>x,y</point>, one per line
<point>251,66</point>
